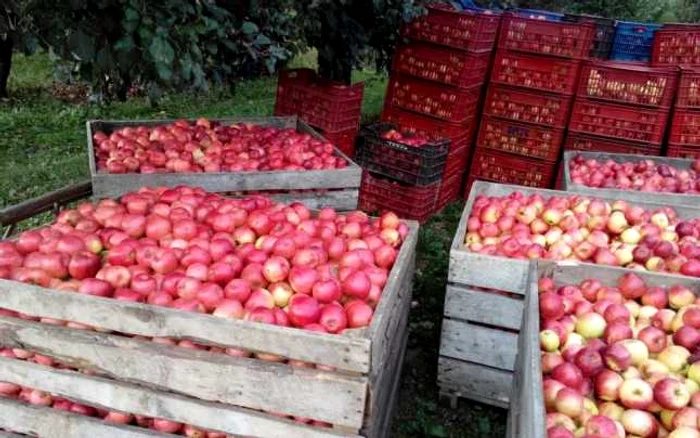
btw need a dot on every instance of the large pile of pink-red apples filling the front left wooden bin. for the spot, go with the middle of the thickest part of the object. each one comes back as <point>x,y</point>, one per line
<point>235,258</point>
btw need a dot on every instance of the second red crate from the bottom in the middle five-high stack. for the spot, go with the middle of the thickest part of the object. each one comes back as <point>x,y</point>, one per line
<point>521,139</point>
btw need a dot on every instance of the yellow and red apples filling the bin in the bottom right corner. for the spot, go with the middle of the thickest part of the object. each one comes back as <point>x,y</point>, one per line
<point>620,361</point>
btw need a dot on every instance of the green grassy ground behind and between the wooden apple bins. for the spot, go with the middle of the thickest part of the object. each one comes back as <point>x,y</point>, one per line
<point>42,148</point>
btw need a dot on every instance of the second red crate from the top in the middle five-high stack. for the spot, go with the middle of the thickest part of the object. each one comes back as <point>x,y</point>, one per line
<point>535,72</point>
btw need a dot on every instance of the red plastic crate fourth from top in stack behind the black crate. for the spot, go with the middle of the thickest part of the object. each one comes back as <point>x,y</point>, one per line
<point>428,126</point>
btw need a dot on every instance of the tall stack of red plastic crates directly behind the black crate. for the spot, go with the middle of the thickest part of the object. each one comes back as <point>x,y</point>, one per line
<point>437,82</point>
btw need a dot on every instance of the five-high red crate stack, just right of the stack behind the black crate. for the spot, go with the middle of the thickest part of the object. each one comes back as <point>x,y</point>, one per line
<point>529,97</point>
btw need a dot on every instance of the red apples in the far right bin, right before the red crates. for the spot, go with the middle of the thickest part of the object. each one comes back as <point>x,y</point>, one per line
<point>644,176</point>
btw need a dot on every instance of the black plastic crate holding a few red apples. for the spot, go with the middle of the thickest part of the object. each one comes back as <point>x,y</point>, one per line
<point>415,165</point>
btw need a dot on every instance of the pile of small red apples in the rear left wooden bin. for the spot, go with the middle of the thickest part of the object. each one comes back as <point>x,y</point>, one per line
<point>205,146</point>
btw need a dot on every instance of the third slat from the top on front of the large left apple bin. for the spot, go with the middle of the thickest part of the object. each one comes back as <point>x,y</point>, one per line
<point>126,397</point>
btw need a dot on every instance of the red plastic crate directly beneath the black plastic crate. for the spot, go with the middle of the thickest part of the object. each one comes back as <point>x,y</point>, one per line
<point>380,194</point>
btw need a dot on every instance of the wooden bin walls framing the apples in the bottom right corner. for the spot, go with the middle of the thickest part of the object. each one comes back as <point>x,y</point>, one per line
<point>526,418</point>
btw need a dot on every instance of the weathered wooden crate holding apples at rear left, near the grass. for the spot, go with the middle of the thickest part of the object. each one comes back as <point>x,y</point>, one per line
<point>337,188</point>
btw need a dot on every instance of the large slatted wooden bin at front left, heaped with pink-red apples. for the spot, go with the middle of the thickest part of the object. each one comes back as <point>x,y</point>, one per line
<point>207,390</point>
